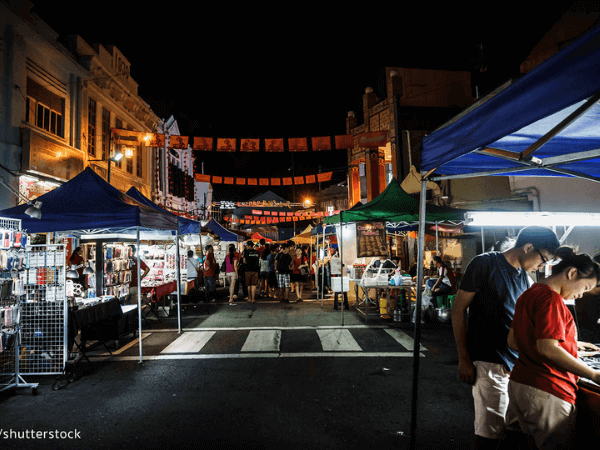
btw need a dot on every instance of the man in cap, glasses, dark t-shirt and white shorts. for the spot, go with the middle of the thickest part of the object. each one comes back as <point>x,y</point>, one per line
<point>489,289</point>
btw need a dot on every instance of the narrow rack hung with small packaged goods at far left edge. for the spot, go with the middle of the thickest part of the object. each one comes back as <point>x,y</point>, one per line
<point>12,298</point>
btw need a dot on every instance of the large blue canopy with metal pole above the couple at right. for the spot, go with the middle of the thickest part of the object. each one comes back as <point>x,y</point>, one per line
<point>544,124</point>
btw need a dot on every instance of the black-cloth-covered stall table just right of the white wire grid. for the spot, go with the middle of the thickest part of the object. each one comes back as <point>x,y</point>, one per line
<point>104,322</point>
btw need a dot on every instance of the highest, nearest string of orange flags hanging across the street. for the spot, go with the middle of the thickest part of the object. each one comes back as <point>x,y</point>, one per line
<point>372,139</point>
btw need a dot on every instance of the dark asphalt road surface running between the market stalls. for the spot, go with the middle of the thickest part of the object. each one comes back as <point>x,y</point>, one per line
<point>221,396</point>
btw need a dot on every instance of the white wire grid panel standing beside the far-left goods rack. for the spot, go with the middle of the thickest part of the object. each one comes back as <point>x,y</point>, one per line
<point>44,313</point>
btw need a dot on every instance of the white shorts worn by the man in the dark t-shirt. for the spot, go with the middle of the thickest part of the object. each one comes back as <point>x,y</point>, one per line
<point>490,394</point>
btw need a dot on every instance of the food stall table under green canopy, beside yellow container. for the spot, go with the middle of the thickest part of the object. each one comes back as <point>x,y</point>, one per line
<point>363,301</point>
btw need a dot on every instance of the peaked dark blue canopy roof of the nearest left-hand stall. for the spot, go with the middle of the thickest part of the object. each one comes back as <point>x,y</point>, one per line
<point>87,202</point>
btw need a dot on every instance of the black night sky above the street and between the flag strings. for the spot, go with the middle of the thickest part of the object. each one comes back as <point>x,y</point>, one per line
<point>280,72</point>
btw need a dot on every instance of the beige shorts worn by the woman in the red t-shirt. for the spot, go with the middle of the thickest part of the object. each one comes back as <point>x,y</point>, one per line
<point>549,419</point>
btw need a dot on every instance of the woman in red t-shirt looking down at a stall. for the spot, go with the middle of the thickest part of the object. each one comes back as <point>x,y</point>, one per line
<point>543,383</point>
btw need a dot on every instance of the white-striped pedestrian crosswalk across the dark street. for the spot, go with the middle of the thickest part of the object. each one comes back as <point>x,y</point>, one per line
<point>264,342</point>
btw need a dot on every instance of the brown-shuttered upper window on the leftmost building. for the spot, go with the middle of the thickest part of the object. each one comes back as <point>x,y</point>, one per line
<point>44,109</point>
